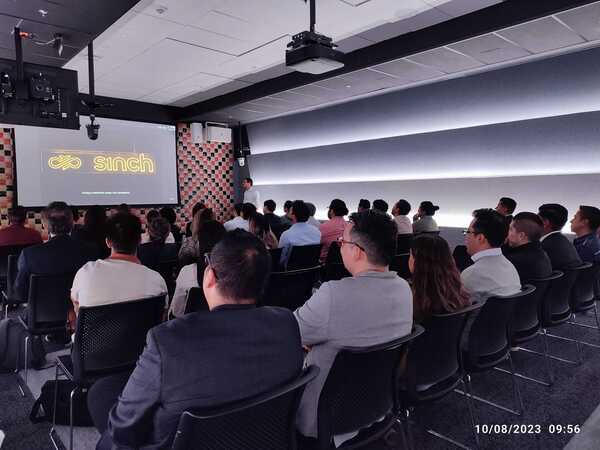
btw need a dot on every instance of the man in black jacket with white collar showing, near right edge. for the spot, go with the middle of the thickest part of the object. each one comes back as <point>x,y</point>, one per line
<point>559,249</point>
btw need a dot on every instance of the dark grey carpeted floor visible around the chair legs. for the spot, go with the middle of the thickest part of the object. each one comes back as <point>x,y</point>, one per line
<point>571,400</point>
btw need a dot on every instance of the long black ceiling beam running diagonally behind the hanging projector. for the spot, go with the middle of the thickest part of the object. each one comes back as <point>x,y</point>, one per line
<point>493,18</point>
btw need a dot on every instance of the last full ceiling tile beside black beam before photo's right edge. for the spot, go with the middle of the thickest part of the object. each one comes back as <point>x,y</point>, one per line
<point>541,35</point>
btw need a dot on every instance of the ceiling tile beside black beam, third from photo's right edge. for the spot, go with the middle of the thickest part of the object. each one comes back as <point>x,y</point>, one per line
<point>490,49</point>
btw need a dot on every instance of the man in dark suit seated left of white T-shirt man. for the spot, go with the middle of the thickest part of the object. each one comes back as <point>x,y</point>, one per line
<point>60,255</point>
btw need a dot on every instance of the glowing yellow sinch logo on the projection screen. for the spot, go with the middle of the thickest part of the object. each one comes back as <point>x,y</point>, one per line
<point>97,162</point>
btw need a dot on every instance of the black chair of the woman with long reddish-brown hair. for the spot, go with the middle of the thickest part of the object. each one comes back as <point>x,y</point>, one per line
<point>433,369</point>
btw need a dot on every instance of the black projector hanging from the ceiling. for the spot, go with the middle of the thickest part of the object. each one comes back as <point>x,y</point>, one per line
<point>314,53</point>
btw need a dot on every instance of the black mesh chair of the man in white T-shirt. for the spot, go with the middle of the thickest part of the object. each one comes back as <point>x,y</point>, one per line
<point>108,339</point>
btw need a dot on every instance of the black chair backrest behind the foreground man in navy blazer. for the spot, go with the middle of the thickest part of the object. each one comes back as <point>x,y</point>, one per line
<point>265,422</point>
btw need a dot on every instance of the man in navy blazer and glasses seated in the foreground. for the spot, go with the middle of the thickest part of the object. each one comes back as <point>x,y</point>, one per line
<point>206,358</point>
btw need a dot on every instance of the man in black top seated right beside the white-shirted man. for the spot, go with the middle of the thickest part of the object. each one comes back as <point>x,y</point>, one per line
<point>523,248</point>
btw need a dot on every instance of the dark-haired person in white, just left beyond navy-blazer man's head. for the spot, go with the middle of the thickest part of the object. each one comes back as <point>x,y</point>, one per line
<point>191,275</point>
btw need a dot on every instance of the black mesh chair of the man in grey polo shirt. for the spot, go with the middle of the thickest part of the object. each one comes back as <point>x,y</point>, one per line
<point>361,389</point>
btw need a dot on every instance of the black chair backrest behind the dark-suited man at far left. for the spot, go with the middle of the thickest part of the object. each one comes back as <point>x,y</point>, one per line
<point>49,301</point>
